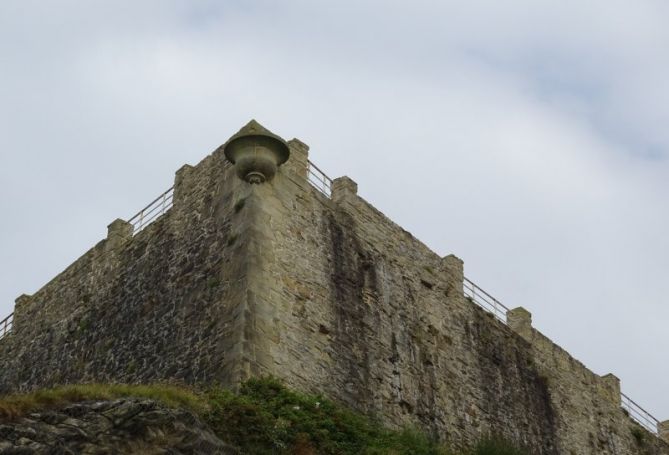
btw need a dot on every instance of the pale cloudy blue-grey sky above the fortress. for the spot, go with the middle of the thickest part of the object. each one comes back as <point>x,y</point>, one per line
<point>527,137</point>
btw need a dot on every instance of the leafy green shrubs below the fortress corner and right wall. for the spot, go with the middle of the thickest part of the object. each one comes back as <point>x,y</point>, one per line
<point>265,417</point>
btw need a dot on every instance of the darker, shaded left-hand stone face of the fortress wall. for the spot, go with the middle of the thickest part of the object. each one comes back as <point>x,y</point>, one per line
<point>168,303</point>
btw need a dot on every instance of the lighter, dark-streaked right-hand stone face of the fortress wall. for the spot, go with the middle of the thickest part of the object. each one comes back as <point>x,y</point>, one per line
<point>353,305</point>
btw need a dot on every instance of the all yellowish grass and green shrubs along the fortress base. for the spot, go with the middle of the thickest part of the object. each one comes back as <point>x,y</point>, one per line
<point>264,417</point>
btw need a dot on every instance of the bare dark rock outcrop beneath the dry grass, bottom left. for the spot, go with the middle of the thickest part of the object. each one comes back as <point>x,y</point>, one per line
<point>125,426</point>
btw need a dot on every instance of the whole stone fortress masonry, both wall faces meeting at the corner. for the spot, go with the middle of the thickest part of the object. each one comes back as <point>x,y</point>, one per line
<point>273,277</point>
